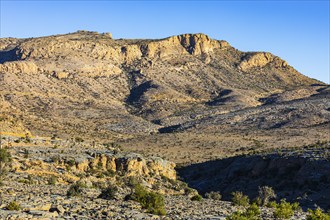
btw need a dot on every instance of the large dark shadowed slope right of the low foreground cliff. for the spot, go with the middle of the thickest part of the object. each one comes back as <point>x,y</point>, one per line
<point>296,178</point>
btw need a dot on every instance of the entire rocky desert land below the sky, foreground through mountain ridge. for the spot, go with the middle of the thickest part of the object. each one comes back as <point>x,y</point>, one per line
<point>101,128</point>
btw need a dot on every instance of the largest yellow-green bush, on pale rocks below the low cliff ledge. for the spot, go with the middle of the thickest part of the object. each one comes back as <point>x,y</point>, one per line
<point>153,202</point>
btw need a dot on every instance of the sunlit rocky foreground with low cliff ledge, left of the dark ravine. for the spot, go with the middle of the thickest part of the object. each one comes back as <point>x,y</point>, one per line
<point>39,177</point>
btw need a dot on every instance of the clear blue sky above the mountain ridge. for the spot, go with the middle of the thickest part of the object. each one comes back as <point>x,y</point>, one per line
<point>297,31</point>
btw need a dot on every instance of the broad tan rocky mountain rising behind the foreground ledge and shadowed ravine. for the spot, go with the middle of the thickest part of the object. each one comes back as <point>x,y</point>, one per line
<point>87,84</point>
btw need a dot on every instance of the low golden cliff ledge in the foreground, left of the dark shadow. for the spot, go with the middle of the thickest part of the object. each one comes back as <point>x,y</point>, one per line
<point>125,164</point>
